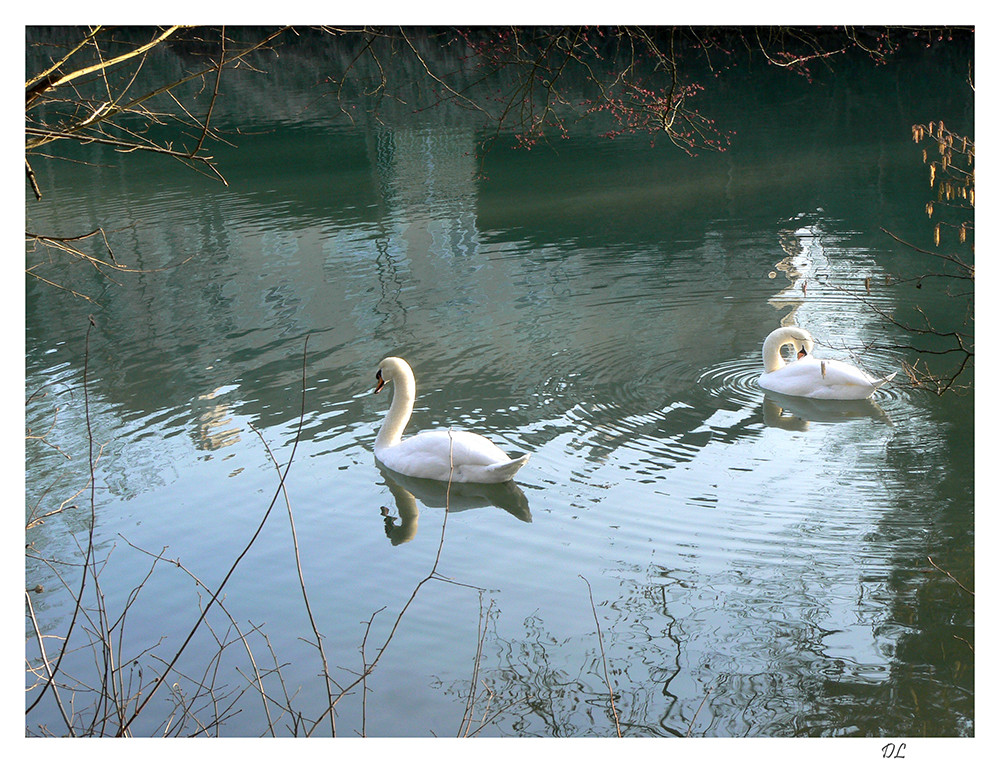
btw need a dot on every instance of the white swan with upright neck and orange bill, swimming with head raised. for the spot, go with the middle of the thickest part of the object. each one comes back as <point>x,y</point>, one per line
<point>437,454</point>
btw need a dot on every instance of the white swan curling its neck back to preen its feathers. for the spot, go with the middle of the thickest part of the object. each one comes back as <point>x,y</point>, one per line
<point>807,376</point>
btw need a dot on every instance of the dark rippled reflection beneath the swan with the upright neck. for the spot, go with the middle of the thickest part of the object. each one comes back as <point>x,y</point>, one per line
<point>407,491</point>
